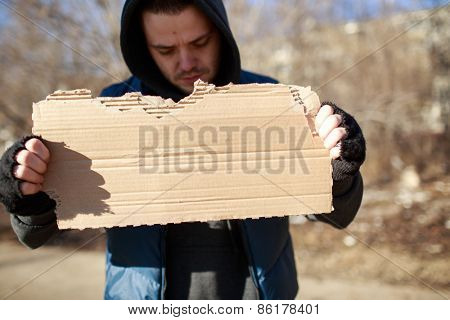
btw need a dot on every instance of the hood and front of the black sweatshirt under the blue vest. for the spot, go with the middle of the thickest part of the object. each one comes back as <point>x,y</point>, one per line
<point>203,260</point>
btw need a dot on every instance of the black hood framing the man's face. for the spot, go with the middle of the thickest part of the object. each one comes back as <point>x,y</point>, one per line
<point>141,64</point>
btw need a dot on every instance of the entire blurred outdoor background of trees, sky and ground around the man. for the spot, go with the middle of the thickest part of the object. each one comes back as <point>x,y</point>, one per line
<point>384,61</point>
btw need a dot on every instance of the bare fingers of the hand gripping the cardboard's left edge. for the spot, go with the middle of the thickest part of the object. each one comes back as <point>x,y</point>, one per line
<point>32,166</point>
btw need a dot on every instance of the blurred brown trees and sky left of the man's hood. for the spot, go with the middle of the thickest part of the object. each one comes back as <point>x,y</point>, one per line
<point>48,45</point>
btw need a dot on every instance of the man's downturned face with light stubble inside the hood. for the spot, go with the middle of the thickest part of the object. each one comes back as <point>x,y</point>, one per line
<point>185,46</point>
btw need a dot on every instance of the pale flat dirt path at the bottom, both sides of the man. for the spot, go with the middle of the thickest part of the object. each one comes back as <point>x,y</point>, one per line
<point>82,277</point>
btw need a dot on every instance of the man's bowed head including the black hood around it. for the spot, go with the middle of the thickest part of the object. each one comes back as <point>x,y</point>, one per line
<point>179,25</point>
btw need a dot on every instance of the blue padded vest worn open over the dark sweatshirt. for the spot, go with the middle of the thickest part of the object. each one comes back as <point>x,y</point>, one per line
<point>135,256</point>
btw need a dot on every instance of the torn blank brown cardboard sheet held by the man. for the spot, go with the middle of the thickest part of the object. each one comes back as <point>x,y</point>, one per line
<point>140,160</point>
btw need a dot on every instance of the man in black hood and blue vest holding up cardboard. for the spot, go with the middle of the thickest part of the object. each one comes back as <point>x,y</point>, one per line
<point>167,45</point>
